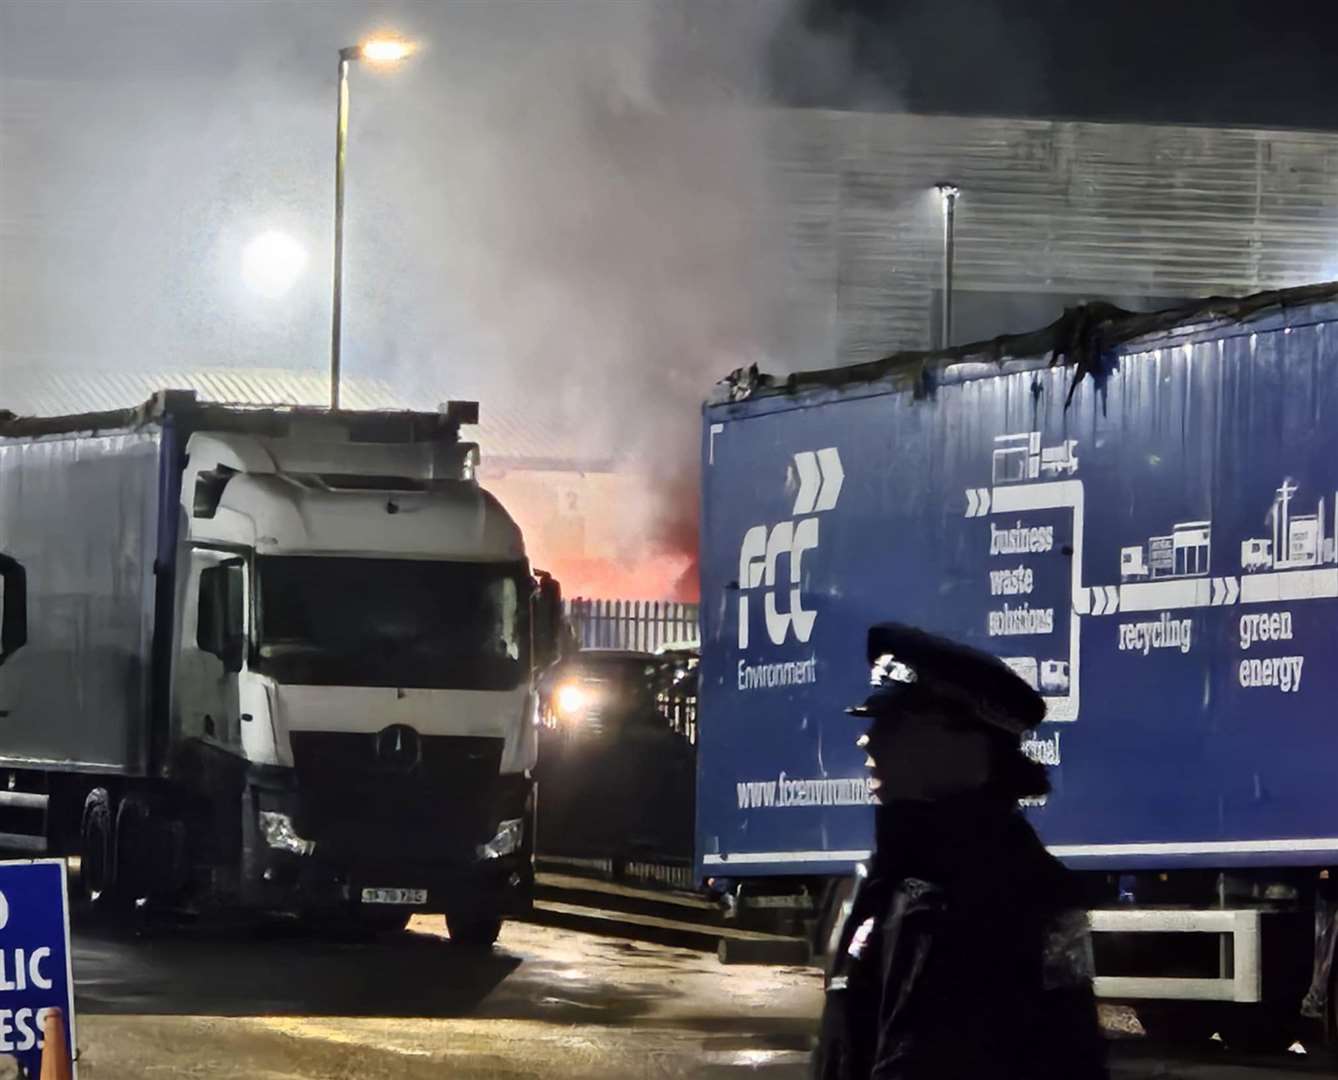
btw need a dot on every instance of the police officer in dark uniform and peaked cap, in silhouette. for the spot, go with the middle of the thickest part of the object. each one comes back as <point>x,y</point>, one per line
<point>967,954</point>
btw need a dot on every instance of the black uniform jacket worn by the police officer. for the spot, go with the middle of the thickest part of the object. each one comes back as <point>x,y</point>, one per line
<point>967,956</point>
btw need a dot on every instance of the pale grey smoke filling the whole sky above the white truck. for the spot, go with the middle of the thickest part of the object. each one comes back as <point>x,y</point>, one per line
<point>563,204</point>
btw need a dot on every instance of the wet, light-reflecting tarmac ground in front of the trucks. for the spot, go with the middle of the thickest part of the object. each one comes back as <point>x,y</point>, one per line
<point>549,1003</point>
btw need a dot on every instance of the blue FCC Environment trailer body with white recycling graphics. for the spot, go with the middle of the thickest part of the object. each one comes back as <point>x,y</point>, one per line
<point>1153,547</point>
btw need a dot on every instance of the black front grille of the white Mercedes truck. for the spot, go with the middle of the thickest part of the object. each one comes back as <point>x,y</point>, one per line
<point>359,805</point>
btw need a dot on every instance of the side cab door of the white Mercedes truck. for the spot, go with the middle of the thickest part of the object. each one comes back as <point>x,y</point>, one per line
<point>213,648</point>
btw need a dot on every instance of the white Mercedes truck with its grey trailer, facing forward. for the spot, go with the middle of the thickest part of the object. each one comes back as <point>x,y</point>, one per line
<point>272,659</point>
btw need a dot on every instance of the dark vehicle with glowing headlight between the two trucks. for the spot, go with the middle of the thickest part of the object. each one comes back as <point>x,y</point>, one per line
<point>617,757</point>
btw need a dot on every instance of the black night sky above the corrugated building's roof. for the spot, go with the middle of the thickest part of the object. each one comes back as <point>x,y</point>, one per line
<point>1212,62</point>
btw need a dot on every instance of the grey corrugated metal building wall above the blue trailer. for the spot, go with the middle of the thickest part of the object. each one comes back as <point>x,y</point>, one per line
<point>1067,209</point>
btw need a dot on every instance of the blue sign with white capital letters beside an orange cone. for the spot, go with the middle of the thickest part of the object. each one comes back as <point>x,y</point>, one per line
<point>34,959</point>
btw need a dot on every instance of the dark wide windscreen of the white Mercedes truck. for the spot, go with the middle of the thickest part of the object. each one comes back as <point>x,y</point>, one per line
<point>393,623</point>
